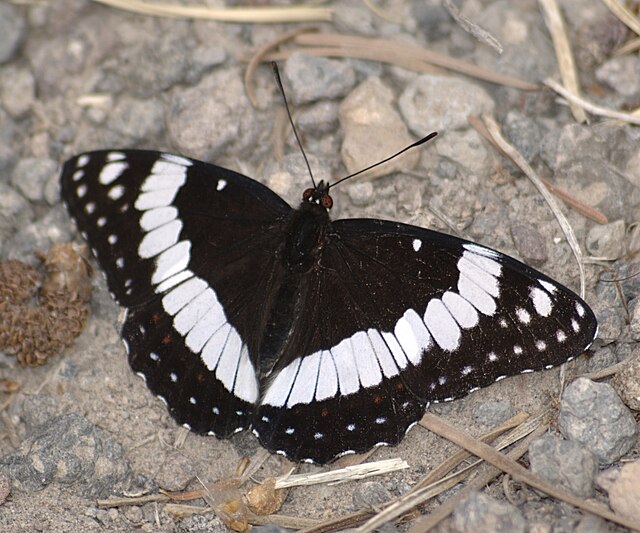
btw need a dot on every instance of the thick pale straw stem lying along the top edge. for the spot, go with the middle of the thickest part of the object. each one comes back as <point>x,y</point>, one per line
<point>243,15</point>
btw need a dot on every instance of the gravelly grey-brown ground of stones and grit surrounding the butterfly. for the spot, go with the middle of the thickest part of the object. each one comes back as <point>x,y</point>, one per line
<point>76,76</point>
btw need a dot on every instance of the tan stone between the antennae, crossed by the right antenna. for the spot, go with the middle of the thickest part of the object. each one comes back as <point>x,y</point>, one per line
<point>369,108</point>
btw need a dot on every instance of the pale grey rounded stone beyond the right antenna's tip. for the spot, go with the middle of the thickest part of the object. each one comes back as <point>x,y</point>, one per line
<point>442,103</point>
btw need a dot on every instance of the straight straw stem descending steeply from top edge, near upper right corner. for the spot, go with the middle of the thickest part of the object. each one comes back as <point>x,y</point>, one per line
<point>566,64</point>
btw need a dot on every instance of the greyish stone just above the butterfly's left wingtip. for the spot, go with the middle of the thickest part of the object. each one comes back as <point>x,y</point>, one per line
<point>133,120</point>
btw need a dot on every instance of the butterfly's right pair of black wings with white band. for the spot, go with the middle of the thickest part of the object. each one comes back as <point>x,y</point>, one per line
<point>403,316</point>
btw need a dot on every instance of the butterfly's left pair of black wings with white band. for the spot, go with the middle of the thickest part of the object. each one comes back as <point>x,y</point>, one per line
<point>185,248</point>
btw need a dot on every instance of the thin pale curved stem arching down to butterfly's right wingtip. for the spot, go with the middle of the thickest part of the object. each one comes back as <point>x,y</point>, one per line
<point>515,156</point>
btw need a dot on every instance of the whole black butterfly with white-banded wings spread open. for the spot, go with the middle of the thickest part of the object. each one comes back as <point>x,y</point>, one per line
<point>325,337</point>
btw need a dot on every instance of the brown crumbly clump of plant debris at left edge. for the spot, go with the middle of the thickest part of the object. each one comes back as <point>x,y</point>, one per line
<point>41,314</point>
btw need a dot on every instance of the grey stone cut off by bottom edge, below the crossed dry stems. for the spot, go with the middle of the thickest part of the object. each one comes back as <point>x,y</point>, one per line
<point>479,512</point>
